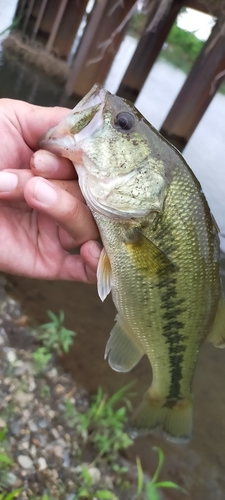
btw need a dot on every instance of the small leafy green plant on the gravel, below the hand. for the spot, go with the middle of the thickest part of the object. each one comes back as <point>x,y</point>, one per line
<point>54,336</point>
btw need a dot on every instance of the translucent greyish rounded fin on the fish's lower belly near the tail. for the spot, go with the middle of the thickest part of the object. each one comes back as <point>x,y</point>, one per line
<point>122,353</point>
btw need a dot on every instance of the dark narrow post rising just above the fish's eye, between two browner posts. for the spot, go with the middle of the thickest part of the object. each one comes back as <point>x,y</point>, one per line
<point>146,53</point>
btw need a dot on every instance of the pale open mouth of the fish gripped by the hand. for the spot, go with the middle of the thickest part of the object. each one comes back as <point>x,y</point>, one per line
<point>64,139</point>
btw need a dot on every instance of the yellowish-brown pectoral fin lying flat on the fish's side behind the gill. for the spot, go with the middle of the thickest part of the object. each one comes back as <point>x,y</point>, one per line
<point>147,256</point>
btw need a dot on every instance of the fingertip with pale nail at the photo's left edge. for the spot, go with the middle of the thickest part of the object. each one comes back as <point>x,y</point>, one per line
<point>12,184</point>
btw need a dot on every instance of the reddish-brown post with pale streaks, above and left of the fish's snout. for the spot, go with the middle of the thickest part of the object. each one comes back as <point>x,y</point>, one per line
<point>98,46</point>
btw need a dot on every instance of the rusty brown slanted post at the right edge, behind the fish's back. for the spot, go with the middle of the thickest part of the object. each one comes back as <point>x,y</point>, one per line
<point>198,90</point>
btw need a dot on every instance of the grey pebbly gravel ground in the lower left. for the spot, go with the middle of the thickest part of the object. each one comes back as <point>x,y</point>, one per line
<point>47,450</point>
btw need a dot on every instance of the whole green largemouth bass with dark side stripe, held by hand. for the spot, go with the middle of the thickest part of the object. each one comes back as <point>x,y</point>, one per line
<point>160,257</point>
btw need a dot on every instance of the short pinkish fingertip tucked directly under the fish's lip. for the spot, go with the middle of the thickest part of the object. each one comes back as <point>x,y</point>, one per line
<point>45,164</point>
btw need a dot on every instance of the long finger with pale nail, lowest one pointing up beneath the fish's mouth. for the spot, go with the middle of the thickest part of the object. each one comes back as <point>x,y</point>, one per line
<point>66,210</point>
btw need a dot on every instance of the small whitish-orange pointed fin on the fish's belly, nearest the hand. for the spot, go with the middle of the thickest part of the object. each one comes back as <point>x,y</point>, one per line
<point>104,276</point>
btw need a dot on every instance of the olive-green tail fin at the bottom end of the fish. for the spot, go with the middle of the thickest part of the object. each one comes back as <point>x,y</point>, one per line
<point>176,419</point>
